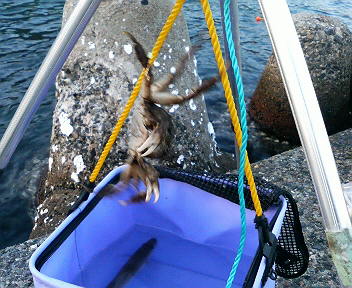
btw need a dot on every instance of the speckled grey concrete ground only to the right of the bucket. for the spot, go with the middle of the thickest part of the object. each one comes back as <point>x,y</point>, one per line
<point>289,171</point>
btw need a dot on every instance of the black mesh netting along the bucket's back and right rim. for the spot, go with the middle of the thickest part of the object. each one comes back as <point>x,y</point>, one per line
<point>292,253</point>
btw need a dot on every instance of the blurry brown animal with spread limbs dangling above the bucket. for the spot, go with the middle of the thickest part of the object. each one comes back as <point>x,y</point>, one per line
<point>152,128</point>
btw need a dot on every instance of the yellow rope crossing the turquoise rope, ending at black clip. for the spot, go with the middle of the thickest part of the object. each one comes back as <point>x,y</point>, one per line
<point>229,99</point>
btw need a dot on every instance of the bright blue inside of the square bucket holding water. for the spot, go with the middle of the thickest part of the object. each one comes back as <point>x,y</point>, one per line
<point>197,235</point>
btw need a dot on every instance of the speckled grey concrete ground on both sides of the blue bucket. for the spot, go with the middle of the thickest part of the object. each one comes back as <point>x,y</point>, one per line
<point>287,170</point>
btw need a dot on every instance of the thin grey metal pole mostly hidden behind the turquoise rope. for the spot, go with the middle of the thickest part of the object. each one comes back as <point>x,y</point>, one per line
<point>234,14</point>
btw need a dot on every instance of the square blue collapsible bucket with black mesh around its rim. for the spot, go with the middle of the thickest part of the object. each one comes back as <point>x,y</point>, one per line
<point>189,238</point>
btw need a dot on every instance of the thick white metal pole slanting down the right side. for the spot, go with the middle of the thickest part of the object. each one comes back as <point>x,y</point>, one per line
<point>312,132</point>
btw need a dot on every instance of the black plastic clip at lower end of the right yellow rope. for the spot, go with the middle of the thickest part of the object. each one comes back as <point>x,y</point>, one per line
<point>268,245</point>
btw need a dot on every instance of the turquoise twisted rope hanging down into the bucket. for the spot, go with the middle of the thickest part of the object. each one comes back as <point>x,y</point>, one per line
<point>243,145</point>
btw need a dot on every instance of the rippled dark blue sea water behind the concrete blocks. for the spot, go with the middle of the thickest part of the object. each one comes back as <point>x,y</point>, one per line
<point>27,30</point>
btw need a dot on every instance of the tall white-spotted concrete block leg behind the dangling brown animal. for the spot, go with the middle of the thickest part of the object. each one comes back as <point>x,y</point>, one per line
<point>94,86</point>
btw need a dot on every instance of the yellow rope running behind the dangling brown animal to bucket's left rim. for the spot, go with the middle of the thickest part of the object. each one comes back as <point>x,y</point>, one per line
<point>155,52</point>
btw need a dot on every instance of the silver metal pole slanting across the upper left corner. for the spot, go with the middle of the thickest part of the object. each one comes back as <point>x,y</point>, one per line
<point>45,76</point>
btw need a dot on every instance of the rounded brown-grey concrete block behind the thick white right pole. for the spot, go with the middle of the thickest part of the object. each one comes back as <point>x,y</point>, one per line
<point>327,46</point>
